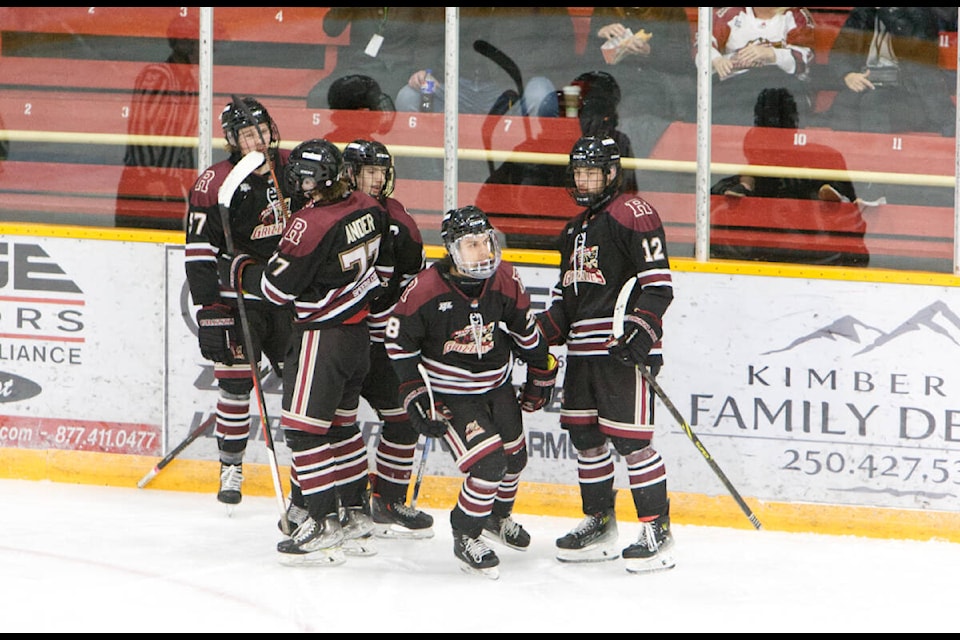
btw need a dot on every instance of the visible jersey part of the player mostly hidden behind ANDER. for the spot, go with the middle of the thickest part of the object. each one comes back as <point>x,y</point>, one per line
<point>409,261</point>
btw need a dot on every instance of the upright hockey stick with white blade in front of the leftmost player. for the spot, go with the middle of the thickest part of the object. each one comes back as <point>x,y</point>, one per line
<point>240,171</point>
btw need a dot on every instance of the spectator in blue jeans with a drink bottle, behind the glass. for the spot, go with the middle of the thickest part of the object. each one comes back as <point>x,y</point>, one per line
<point>538,42</point>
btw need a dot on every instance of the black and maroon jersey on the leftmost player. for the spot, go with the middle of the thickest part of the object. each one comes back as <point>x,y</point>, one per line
<point>256,224</point>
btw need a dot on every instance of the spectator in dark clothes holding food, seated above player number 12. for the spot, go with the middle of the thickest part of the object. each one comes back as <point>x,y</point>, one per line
<point>657,75</point>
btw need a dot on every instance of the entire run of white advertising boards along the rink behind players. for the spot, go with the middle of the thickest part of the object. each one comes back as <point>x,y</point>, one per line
<point>803,390</point>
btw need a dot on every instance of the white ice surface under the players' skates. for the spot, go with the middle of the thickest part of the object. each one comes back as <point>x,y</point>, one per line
<point>79,558</point>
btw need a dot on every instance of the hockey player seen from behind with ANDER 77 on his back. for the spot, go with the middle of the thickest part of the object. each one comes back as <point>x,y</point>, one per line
<point>329,265</point>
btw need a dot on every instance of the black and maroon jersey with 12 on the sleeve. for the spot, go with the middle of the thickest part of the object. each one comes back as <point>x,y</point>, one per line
<point>599,251</point>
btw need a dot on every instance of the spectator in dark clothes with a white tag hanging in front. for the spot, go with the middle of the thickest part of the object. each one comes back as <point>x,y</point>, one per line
<point>383,43</point>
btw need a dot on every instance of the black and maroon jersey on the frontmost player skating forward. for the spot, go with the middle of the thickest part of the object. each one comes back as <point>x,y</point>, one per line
<point>466,343</point>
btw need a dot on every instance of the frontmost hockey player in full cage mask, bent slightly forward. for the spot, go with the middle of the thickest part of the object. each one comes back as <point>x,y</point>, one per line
<point>462,319</point>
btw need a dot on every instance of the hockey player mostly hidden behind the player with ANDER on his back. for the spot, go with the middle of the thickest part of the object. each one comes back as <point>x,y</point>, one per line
<point>369,168</point>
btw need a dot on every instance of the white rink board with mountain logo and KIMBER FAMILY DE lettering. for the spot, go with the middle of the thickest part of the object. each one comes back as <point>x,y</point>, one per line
<point>856,414</point>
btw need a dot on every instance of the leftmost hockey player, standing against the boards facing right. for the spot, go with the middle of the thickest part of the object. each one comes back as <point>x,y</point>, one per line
<point>257,218</point>
